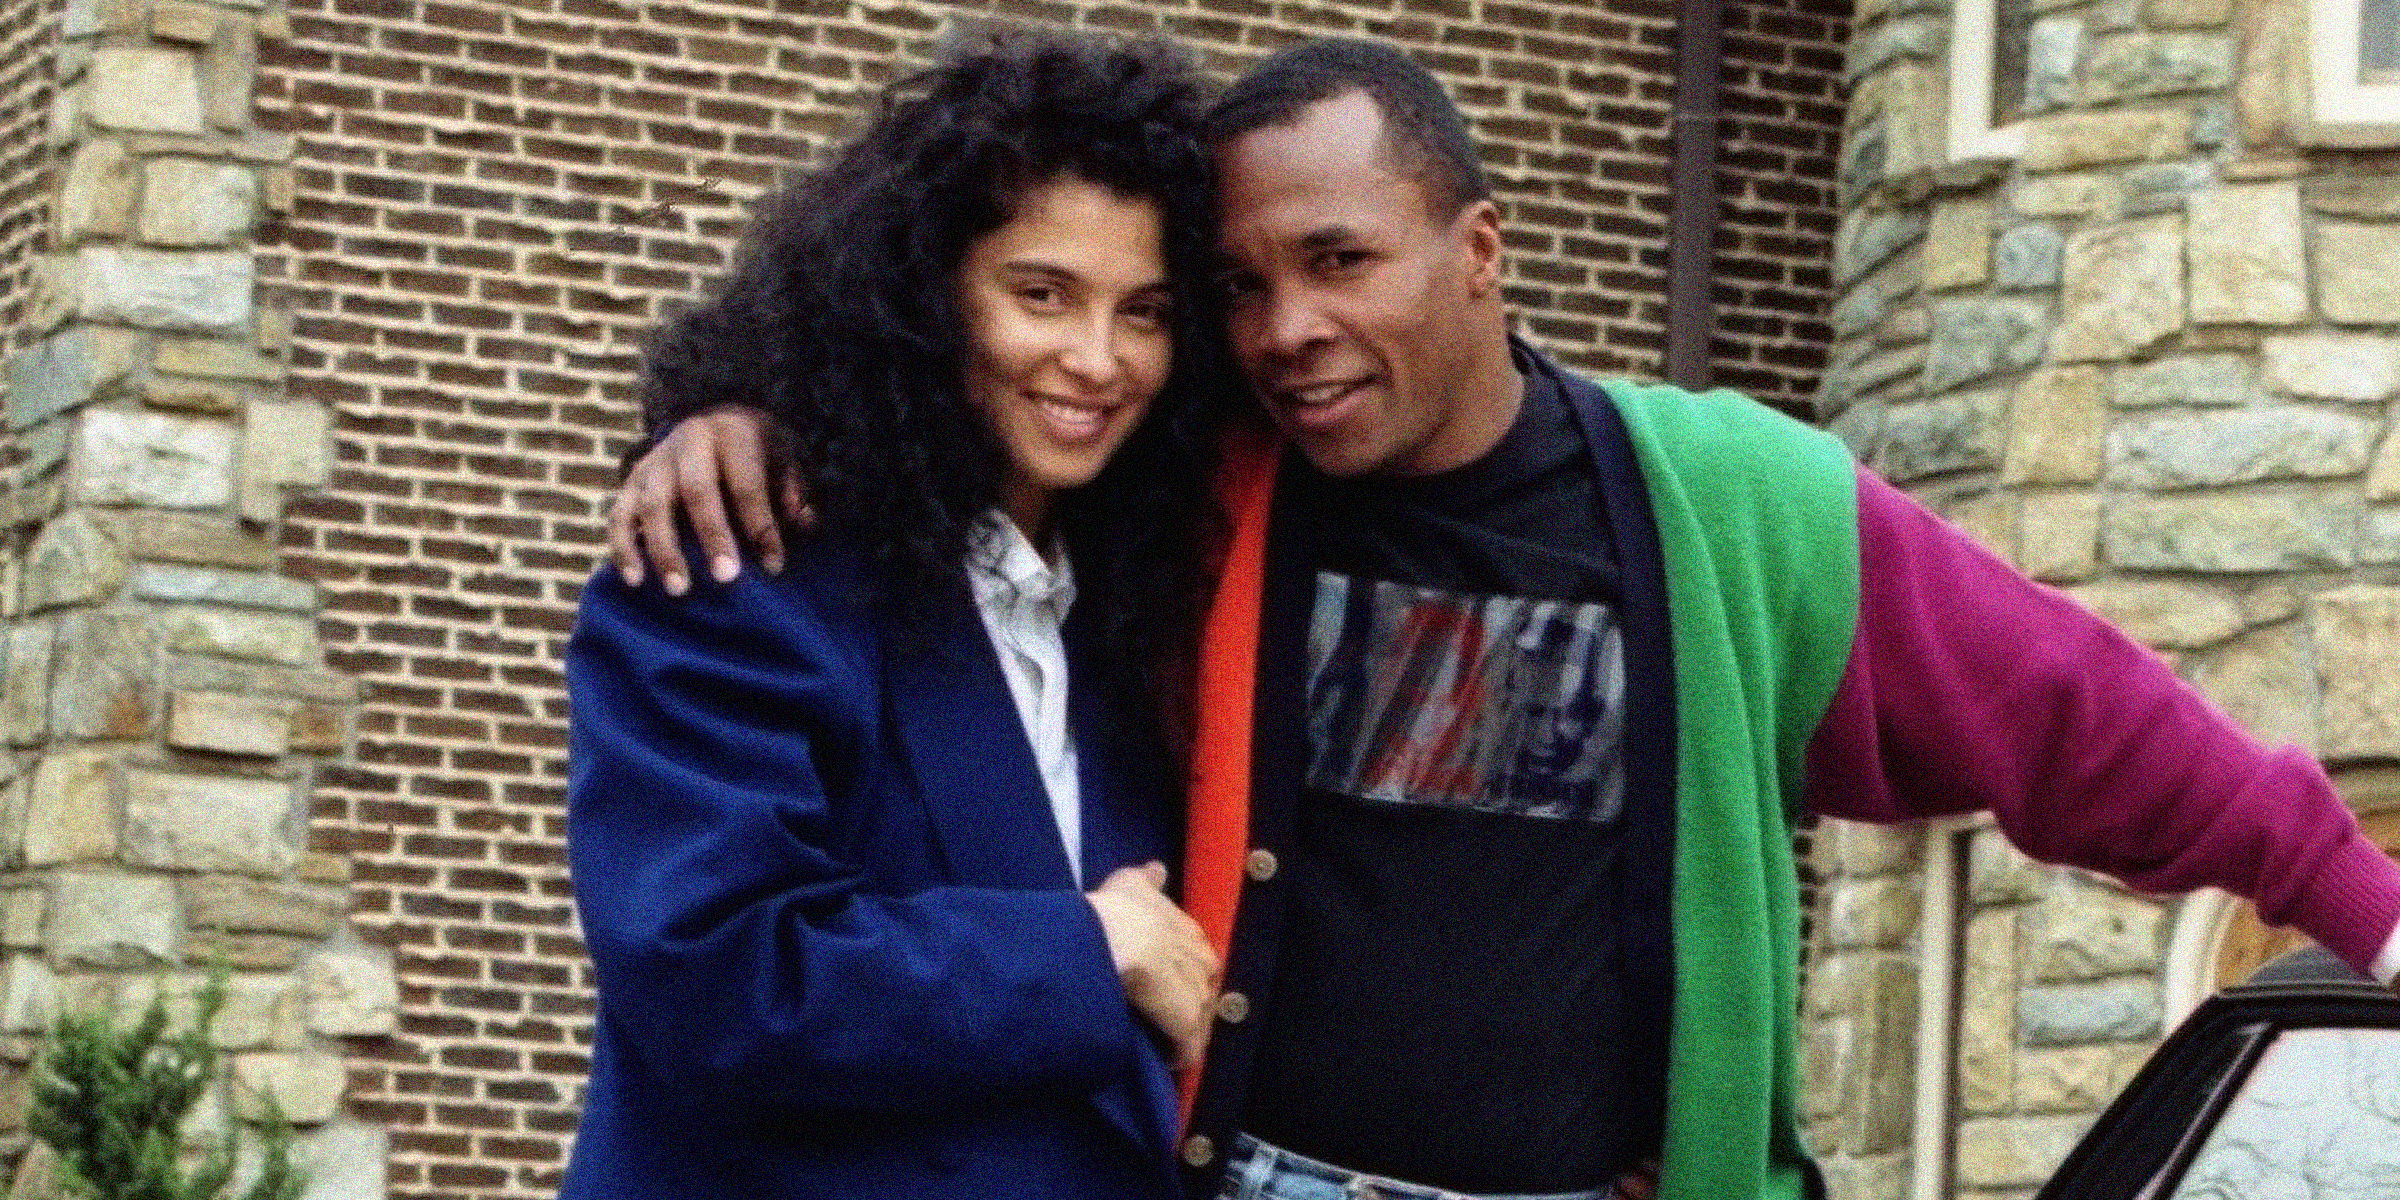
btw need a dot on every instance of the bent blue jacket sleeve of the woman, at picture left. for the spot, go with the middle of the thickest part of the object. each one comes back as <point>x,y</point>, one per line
<point>714,748</point>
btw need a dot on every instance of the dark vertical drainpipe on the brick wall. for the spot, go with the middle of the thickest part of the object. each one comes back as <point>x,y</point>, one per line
<point>1700,42</point>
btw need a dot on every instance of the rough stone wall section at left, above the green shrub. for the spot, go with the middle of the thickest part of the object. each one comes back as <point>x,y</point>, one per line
<point>162,692</point>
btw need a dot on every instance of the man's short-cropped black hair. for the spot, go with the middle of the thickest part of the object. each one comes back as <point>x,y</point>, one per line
<point>1422,126</point>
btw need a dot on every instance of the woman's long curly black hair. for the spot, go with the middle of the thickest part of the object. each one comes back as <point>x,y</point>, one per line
<point>841,320</point>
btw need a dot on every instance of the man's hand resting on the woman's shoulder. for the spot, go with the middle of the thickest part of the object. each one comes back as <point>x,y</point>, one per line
<point>704,462</point>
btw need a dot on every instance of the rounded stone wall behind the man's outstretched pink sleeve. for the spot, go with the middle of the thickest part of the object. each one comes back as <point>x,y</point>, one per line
<point>2152,361</point>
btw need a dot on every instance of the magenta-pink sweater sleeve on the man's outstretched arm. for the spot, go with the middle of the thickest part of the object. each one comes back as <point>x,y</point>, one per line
<point>1972,688</point>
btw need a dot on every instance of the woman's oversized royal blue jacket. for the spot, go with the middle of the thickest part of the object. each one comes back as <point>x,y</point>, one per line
<point>839,947</point>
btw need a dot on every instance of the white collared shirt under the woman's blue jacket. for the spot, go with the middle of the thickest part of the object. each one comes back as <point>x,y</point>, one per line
<point>1024,601</point>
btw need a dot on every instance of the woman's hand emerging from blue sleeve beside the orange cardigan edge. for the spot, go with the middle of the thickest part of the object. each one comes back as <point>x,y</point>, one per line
<point>1163,959</point>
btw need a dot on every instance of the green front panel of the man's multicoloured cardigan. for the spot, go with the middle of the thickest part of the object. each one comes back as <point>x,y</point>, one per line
<point>1758,522</point>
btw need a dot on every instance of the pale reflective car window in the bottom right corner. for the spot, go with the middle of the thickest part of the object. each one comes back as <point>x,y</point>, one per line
<point>2320,1117</point>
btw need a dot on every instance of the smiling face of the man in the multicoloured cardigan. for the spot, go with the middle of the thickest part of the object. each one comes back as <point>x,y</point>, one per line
<point>1350,299</point>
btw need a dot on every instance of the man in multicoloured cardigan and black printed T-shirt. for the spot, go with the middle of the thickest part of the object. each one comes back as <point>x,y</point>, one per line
<point>1516,685</point>
